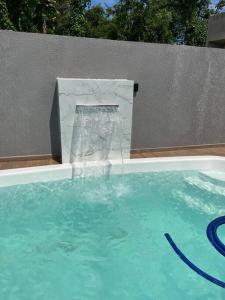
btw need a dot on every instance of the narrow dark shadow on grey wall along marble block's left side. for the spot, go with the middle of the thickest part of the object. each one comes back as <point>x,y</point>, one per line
<point>55,127</point>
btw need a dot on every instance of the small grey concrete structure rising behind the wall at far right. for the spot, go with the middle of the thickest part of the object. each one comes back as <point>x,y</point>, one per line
<point>216,31</point>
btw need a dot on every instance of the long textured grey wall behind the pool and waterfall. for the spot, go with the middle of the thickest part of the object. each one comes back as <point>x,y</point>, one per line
<point>181,97</point>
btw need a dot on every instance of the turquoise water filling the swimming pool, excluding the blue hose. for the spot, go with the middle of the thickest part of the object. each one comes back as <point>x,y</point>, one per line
<point>103,239</point>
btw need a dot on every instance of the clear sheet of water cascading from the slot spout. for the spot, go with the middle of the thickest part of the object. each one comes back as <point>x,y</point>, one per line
<point>96,135</point>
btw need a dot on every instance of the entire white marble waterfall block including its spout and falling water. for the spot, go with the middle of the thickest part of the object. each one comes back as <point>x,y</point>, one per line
<point>95,119</point>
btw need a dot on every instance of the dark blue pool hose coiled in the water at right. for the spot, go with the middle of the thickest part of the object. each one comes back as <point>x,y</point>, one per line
<point>216,242</point>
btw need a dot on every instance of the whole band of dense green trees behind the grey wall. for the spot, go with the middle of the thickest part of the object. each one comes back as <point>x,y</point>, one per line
<point>160,21</point>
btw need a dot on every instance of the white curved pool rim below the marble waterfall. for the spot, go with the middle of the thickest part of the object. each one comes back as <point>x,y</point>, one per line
<point>141,165</point>
